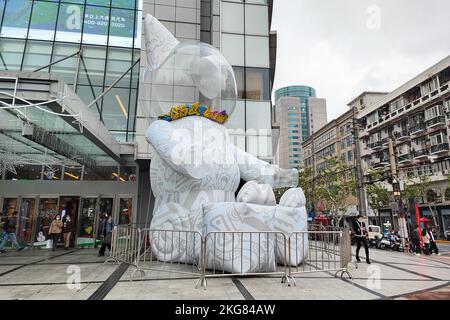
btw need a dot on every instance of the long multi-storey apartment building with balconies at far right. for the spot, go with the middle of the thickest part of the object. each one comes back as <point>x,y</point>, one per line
<point>416,117</point>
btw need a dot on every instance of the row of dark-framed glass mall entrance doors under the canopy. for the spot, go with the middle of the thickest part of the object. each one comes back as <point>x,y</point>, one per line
<point>35,214</point>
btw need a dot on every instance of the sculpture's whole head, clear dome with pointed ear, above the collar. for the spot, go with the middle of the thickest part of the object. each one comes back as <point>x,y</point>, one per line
<point>182,73</point>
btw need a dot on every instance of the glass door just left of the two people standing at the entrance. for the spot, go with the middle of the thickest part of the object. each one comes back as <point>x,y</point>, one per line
<point>47,210</point>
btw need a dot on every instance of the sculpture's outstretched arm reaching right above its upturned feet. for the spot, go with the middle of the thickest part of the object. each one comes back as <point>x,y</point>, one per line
<point>252,168</point>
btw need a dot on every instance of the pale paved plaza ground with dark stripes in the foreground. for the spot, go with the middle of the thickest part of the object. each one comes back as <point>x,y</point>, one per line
<point>42,274</point>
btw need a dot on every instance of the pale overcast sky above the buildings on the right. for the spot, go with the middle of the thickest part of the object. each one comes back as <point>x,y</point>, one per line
<point>341,48</point>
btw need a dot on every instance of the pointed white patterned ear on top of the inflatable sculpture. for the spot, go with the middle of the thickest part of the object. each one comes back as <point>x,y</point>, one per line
<point>159,42</point>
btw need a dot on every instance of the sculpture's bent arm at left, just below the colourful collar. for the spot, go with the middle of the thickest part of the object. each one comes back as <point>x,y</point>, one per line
<point>175,148</point>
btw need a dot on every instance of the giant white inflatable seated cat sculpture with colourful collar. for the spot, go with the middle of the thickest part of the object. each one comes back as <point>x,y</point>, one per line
<point>195,170</point>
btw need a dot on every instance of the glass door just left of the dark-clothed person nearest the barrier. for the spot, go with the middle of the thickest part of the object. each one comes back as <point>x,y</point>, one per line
<point>86,226</point>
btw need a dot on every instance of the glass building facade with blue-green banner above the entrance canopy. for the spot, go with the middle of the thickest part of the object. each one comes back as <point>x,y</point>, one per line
<point>35,34</point>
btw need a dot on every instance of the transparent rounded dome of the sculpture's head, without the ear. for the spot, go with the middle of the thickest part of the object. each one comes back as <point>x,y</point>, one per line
<point>192,73</point>
